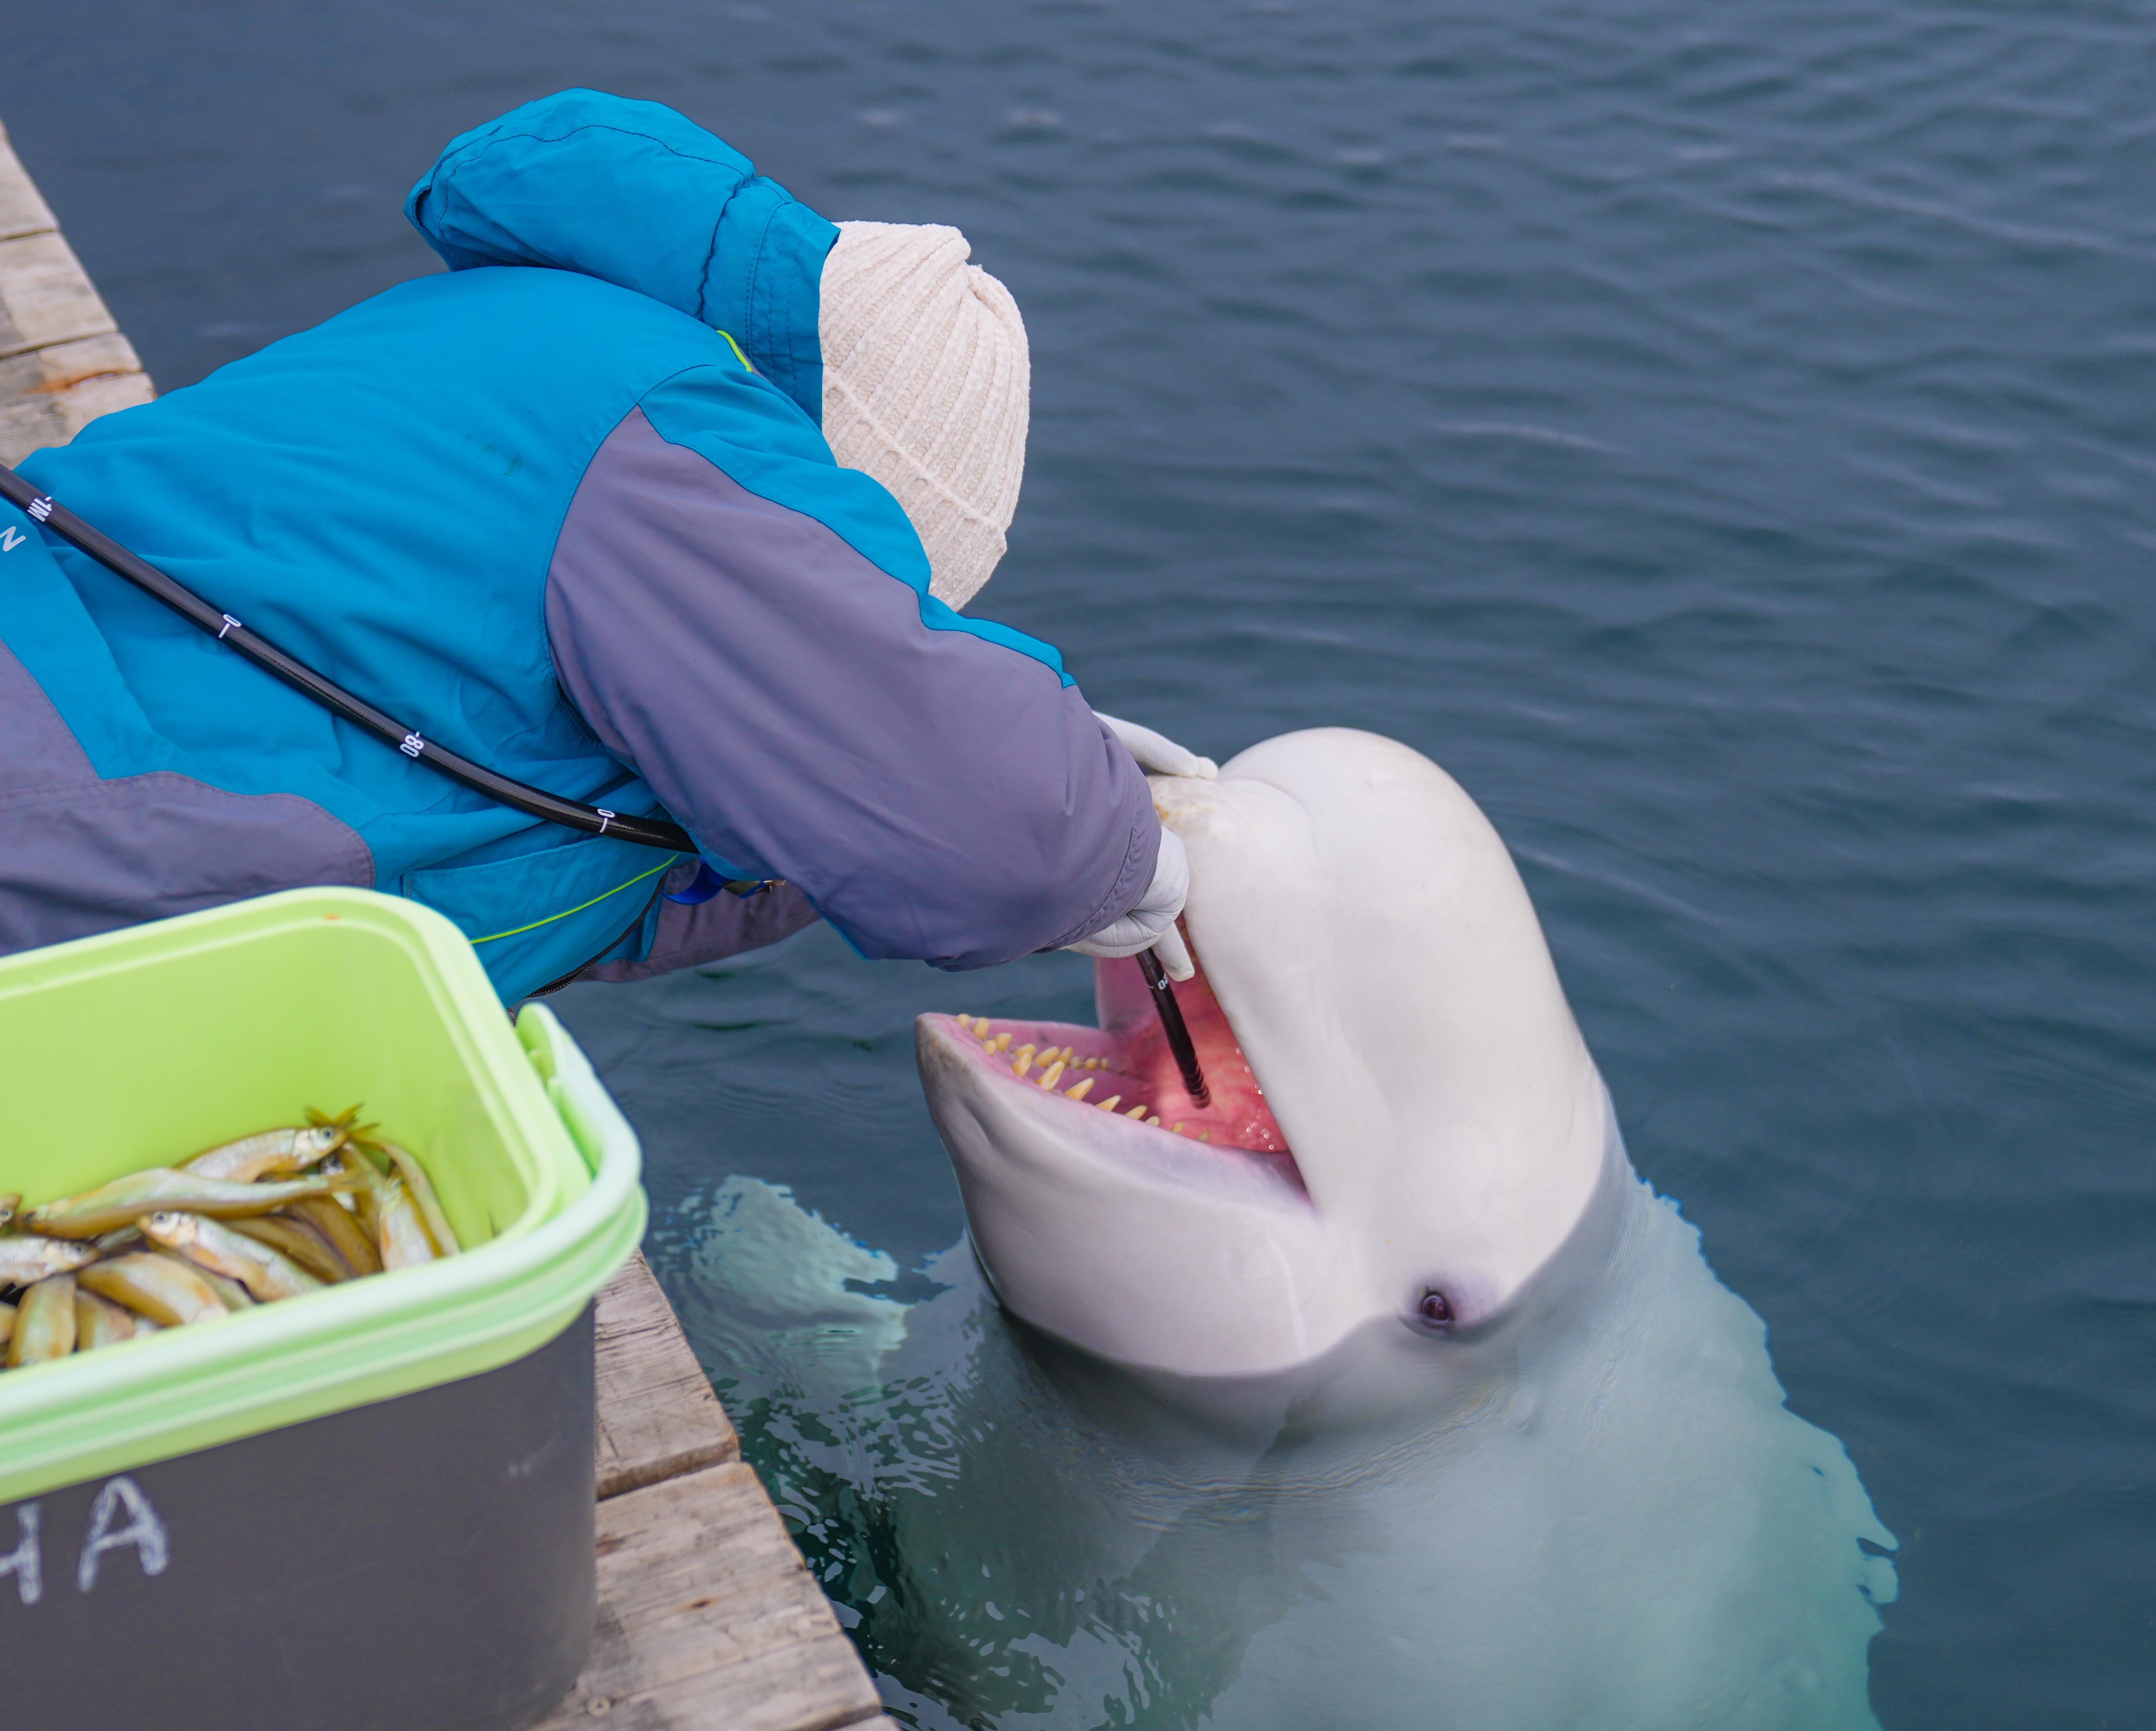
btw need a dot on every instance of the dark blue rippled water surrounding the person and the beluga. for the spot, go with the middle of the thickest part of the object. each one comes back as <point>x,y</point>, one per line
<point>1724,437</point>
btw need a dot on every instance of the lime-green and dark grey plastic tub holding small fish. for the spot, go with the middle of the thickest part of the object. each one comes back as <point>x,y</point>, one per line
<point>428,1430</point>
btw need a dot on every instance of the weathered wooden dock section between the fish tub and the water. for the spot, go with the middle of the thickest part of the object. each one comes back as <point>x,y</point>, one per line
<point>708,1616</point>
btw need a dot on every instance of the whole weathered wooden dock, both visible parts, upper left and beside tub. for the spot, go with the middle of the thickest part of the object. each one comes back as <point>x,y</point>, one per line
<point>708,1616</point>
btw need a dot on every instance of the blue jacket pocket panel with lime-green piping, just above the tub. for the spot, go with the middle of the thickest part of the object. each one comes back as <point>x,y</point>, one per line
<point>544,915</point>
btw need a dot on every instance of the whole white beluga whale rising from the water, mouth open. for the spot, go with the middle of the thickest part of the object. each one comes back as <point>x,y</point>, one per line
<point>1377,1389</point>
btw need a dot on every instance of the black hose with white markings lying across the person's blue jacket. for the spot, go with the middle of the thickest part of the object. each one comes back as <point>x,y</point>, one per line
<point>273,661</point>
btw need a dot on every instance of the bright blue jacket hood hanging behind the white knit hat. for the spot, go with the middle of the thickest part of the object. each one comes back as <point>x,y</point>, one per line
<point>646,199</point>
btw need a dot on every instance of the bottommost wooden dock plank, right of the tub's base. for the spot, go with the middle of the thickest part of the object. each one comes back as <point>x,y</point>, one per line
<point>710,1620</point>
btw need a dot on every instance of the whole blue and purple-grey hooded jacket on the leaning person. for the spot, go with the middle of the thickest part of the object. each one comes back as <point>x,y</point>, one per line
<point>568,512</point>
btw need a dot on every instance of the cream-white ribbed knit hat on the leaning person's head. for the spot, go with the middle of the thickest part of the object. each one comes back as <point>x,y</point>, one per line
<point>928,389</point>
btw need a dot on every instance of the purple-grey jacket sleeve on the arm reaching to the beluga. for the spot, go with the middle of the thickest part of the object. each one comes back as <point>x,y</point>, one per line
<point>932,794</point>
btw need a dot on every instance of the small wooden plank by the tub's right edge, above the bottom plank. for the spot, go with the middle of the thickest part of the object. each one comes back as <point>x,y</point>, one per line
<point>659,1415</point>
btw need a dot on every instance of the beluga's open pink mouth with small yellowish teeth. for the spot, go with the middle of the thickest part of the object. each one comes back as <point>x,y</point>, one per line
<point>1124,1068</point>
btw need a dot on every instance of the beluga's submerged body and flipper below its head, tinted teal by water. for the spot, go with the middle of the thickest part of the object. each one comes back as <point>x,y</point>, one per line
<point>1597,1517</point>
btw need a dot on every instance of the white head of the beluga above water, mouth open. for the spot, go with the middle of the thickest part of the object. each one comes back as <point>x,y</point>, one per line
<point>1405,1124</point>
